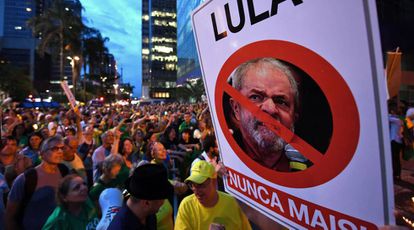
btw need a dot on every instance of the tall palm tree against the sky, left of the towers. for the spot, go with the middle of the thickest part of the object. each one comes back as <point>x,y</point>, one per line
<point>59,27</point>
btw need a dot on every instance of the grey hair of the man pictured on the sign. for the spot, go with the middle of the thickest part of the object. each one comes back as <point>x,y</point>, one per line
<point>239,73</point>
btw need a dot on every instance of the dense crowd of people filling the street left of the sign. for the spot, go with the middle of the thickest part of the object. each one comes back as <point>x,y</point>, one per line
<point>57,166</point>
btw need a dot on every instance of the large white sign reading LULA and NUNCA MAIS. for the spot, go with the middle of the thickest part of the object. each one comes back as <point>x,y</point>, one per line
<point>297,95</point>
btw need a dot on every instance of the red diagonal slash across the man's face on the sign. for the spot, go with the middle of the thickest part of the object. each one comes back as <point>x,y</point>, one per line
<point>275,126</point>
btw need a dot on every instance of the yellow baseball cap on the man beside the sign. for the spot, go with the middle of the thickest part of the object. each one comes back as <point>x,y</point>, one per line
<point>201,171</point>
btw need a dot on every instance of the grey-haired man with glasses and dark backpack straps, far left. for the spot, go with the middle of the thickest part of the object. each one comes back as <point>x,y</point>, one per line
<point>32,196</point>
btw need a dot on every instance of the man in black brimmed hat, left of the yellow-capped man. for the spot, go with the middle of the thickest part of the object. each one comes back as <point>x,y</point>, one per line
<point>148,188</point>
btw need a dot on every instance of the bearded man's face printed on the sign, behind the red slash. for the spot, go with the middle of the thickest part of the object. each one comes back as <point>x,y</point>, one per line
<point>269,89</point>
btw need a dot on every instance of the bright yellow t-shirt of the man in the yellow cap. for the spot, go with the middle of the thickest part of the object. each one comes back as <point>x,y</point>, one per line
<point>192,215</point>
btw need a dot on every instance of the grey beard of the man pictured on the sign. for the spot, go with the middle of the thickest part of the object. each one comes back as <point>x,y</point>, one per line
<point>267,142</point>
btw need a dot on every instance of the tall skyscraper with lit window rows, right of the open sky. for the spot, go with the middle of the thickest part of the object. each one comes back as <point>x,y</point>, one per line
<point>159,49</point>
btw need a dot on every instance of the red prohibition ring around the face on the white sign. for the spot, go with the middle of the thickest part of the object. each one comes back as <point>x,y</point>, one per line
<point>345,116</point>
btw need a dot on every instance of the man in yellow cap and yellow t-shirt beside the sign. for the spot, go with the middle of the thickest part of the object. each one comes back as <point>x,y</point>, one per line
<point>207,207</point>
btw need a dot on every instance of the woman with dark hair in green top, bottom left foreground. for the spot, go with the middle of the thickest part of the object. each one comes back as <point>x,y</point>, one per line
<point>74,210</point>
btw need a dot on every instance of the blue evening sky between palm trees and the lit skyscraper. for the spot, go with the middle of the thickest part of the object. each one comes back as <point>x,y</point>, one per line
<point>120,21</point>
